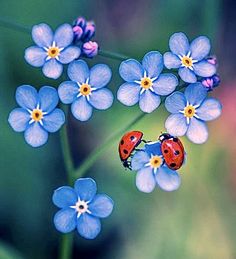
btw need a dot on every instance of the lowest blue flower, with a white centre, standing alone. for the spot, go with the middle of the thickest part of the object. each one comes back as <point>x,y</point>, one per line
<point>81,208</point>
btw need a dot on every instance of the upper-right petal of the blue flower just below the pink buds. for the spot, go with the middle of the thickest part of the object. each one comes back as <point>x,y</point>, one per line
<point>100,75</point>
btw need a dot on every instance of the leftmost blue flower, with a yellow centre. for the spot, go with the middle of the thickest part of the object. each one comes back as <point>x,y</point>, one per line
<point>38,114</point>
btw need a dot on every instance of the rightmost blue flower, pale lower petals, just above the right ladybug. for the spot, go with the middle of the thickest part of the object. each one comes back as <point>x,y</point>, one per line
<point>190,111</point>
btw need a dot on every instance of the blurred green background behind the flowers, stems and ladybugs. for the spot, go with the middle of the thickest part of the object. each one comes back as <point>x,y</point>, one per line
<point>198,220</point>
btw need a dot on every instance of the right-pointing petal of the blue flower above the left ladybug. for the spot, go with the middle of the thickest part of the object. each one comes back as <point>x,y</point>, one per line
<point>165,84</point>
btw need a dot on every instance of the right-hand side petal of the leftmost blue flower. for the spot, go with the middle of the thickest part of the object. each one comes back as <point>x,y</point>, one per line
<point>53,121</point>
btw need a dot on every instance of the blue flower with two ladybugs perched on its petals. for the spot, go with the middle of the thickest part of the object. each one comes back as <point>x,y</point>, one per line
<point>152,171</point>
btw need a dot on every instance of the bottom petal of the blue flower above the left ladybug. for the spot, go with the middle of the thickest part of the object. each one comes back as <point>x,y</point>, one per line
<point>149,101</point>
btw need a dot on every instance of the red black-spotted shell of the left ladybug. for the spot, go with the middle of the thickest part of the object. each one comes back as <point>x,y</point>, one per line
<point>128,143</point>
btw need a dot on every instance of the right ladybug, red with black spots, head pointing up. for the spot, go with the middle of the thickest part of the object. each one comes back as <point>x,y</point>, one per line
<point>172,150</point>
